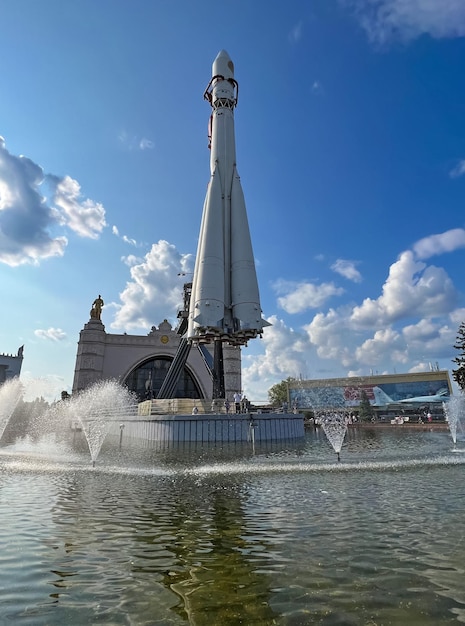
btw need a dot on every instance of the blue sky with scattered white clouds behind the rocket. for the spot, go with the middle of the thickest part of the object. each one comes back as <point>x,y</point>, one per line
<point>350,132</point>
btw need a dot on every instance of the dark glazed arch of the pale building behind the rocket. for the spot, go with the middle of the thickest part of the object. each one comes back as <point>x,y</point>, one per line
<point>146,379</point>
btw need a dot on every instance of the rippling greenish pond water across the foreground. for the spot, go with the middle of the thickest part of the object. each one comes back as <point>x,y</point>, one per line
<point>203,536</point>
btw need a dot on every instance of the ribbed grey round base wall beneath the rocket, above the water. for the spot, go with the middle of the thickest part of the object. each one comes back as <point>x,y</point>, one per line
<point>213,428</point>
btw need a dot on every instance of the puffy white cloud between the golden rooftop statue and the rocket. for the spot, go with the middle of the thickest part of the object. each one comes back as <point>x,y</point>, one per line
<point>155,289</point>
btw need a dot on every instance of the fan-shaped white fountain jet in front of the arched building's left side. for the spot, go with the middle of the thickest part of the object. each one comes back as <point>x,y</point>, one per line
<point>97,409</point>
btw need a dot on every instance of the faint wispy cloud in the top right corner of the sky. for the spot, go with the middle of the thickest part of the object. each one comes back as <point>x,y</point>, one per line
<point>384,20</point>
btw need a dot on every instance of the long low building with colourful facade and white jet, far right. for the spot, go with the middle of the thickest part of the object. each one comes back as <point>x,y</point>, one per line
<point>385,392</point>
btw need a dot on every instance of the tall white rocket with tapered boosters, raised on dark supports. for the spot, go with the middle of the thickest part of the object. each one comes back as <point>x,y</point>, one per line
<point>225,302</point>
